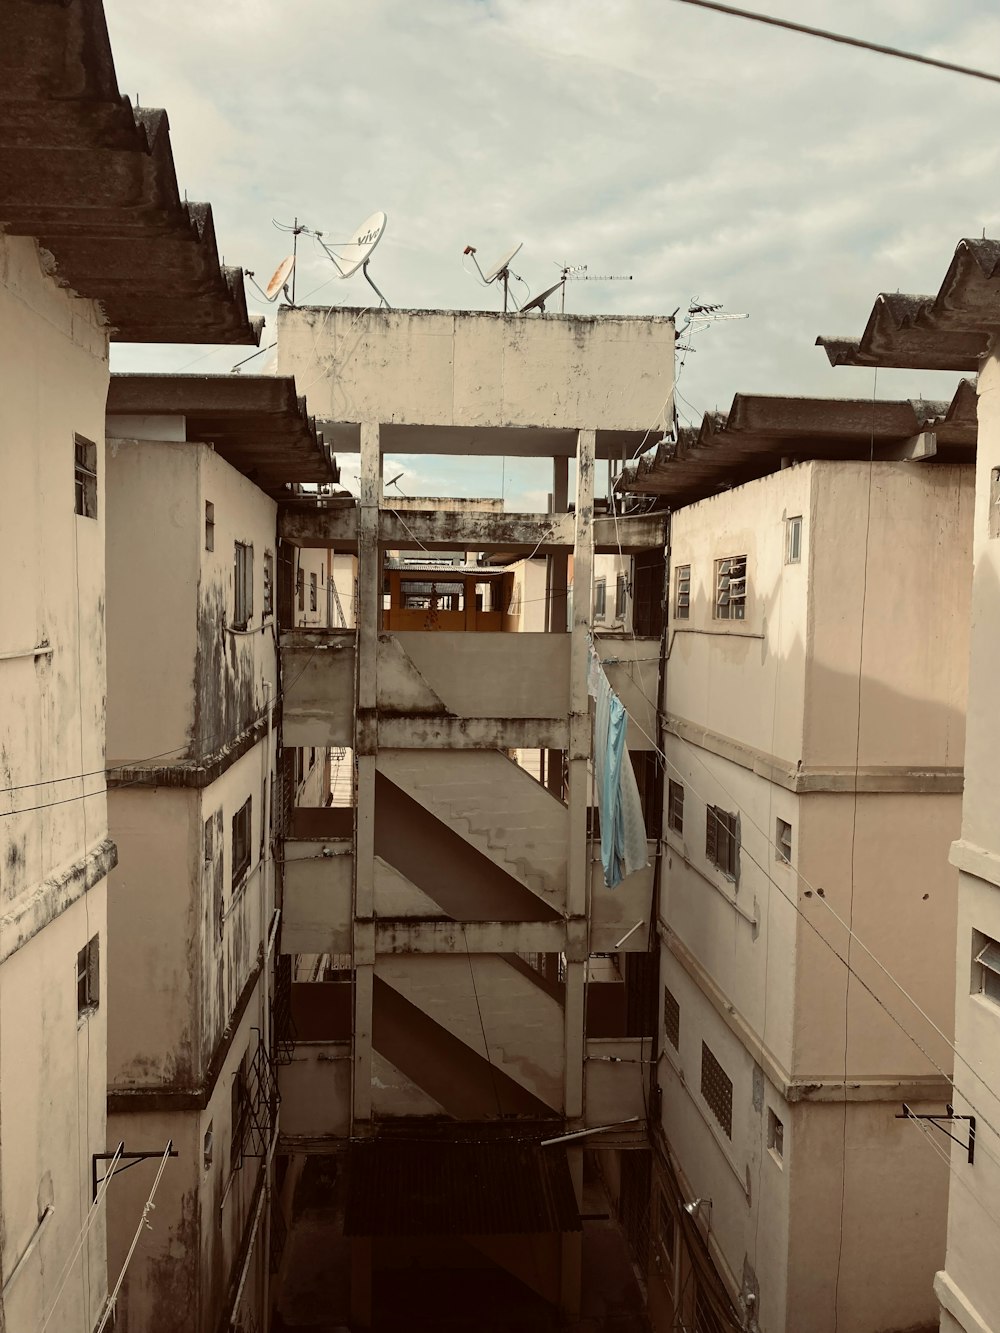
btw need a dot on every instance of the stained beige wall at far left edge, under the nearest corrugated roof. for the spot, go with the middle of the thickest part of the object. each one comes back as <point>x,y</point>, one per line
<point>54,351</point>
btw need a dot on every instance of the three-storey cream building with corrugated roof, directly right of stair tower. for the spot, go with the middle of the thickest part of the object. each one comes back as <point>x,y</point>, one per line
<point>814,735</point>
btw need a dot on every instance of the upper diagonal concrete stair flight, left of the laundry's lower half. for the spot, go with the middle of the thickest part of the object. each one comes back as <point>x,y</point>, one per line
<point>495,807</point>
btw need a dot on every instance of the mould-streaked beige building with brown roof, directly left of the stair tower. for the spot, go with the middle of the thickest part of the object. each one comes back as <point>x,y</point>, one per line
<point>195,467</point>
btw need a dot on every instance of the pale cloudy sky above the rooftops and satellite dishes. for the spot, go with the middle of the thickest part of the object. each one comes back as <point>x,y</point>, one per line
<point>705,155</point>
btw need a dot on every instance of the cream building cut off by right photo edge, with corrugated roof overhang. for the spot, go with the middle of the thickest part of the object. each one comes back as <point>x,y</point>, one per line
<point>957,331</point>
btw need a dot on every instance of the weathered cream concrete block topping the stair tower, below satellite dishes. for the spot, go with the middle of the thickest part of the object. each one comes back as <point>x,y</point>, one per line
<point>479,370</point>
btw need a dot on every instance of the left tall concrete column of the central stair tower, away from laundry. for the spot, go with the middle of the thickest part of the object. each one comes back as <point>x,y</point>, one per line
<point>366,751</point>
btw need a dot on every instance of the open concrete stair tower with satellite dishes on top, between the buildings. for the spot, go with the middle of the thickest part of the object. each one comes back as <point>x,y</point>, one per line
<point>459,1031</point>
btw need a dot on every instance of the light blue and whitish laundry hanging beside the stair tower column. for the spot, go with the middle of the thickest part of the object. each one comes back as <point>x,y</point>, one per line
<point>623,827</point>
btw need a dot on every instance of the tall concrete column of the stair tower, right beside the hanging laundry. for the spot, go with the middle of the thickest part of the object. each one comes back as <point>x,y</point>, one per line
<point>579,756</point>
